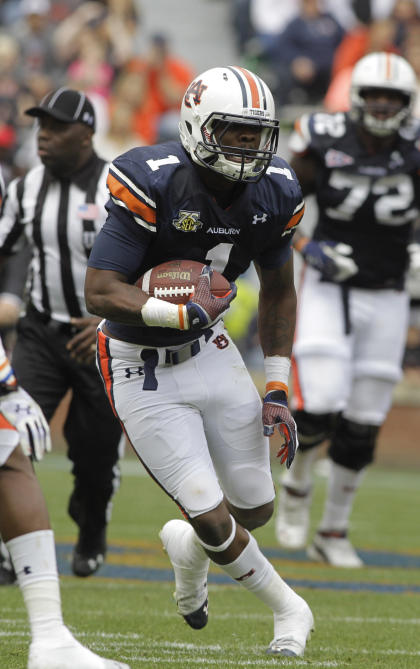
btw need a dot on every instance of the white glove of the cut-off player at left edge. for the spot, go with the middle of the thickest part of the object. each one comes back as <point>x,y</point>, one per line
<point>27,418</point>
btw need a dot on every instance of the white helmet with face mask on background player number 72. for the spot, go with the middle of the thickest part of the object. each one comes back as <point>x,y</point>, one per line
<point>386,72</point>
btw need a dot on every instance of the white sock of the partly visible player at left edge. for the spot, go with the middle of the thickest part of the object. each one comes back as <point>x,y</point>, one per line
<point>34,559</point>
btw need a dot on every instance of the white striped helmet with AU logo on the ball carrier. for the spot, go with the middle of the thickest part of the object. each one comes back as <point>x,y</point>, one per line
<point>214,101</point>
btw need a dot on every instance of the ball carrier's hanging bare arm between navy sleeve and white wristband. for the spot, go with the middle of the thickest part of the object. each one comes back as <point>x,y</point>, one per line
<point>277,309</point>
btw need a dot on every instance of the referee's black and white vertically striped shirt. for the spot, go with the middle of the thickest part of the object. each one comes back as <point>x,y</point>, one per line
<point>60,219</point>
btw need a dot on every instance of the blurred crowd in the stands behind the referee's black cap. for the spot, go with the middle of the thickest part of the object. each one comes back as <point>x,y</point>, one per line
<point>133,81</point>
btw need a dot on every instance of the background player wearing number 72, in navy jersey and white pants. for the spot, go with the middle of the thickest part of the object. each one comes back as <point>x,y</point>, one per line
<point>363,167</point>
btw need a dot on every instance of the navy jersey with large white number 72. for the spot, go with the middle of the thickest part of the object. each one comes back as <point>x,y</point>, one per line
<point>366,200</point>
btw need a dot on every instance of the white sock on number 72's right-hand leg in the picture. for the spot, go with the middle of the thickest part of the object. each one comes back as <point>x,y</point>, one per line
<point>343,484</point>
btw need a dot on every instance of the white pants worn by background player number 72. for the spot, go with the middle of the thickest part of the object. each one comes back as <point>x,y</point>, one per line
<point>355,372</point>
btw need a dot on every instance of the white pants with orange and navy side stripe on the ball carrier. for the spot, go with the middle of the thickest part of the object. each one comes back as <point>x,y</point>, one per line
<point>199,432</point>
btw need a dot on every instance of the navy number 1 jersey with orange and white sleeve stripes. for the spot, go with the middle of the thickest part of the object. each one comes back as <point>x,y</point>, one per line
<point>159,209</point>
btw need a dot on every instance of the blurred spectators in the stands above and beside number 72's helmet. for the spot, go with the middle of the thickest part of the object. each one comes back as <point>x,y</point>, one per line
<point>307,49</point>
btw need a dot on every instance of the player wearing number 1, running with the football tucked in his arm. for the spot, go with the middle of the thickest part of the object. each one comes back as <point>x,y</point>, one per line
<point>173,375</point>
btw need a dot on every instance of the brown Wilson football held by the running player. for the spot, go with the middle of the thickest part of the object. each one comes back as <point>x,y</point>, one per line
<point>175,280</point>
